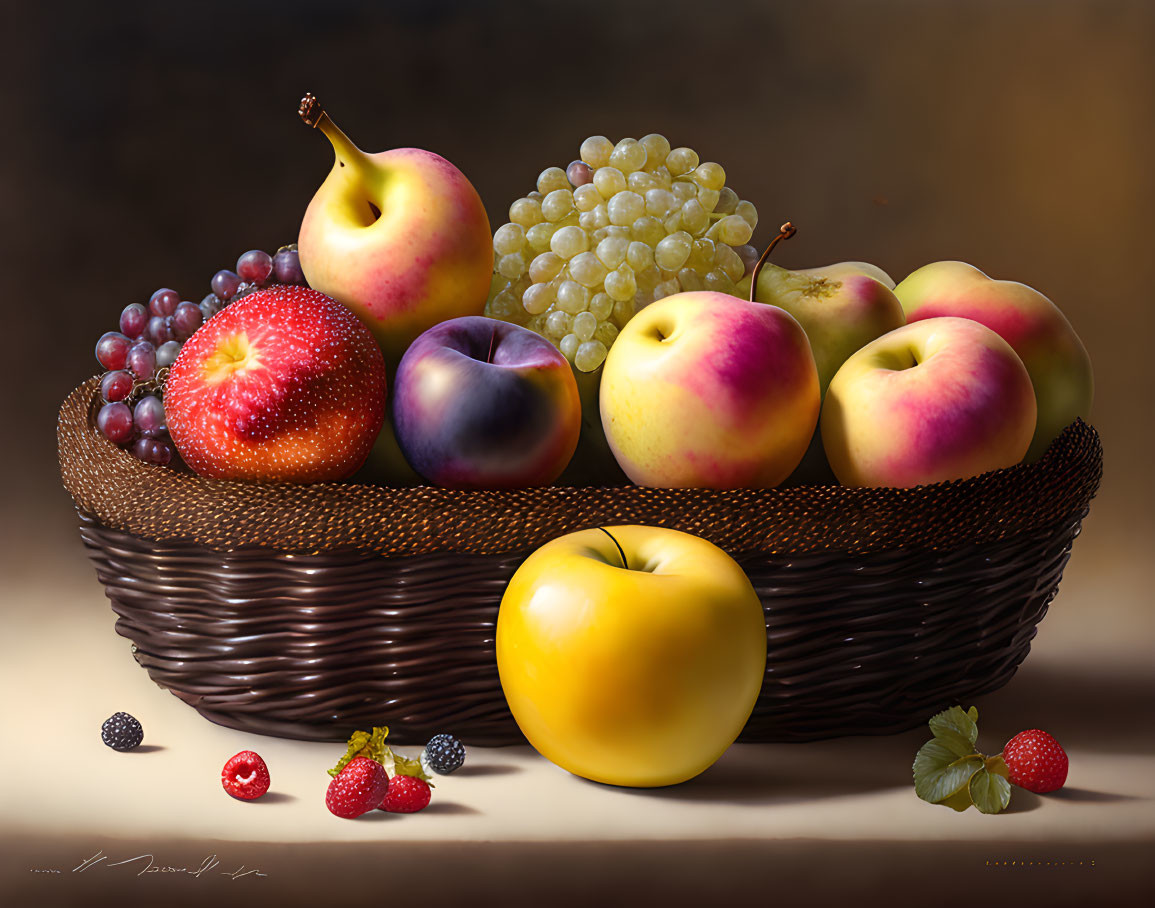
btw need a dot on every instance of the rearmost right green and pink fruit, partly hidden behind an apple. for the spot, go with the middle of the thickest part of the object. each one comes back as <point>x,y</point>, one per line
<point>1032,324</point>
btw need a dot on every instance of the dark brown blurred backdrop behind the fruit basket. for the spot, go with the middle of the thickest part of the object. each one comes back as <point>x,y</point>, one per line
<point>148,145</point>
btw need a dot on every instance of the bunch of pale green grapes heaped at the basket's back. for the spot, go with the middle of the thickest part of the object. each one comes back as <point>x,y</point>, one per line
<point>627,225</point>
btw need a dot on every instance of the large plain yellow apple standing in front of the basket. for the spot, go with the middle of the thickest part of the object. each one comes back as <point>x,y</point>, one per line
<point>631,656</point>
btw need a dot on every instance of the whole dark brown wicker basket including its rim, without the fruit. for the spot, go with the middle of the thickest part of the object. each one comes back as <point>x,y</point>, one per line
<point>307,612</point>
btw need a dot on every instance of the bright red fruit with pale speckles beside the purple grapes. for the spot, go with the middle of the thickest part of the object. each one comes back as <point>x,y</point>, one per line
<point>282,385</point>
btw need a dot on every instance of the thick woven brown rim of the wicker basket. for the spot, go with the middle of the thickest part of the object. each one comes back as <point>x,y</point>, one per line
<point>124,494</point>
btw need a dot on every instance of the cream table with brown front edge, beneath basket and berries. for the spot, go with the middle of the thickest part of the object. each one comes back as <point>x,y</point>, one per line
<point>511,813</point>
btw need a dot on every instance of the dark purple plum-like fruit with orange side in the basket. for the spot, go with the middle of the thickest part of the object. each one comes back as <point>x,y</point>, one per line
<point>481,404</point>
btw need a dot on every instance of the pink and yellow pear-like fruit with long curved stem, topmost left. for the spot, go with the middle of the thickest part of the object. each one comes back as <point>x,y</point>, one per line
<point>401,237</point>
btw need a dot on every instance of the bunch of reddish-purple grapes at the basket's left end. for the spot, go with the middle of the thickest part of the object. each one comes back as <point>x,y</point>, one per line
<point>139,355</point>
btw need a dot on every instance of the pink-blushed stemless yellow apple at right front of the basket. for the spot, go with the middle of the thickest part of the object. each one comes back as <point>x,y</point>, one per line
<point>941,399</point>
